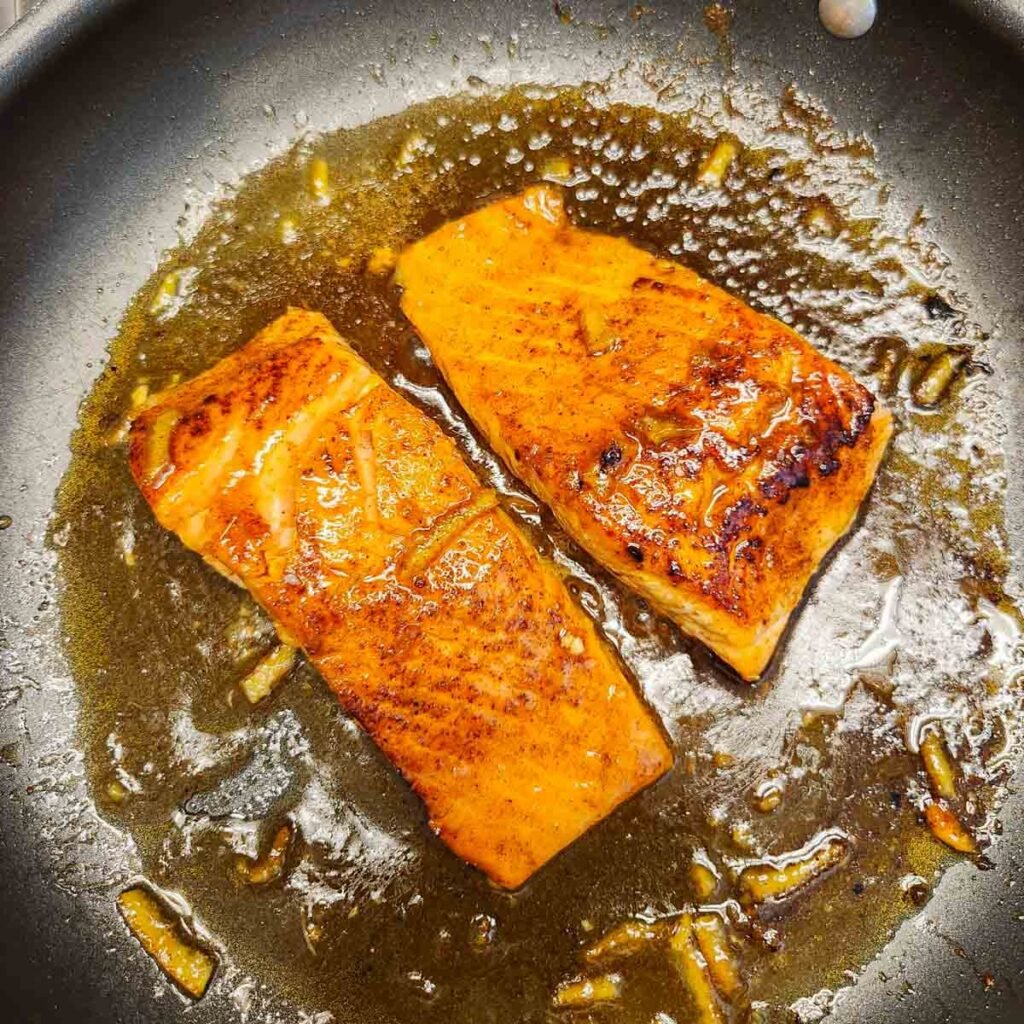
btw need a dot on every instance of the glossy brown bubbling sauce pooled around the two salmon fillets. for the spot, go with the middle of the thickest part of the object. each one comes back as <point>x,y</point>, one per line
<point>375,920</point>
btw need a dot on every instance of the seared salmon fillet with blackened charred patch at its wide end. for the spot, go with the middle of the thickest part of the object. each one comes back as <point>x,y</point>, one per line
<point>703,452</point>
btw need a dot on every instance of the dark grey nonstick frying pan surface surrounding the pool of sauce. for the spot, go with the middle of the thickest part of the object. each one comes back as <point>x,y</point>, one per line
<point>112,111</point>
